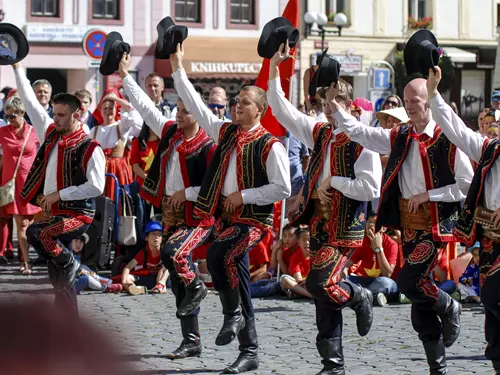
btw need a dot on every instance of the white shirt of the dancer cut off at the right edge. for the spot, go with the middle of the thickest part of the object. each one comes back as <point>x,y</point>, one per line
<point>469,142</point>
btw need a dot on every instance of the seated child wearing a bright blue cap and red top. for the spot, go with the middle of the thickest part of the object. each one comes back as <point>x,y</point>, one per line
<point>146,271</point>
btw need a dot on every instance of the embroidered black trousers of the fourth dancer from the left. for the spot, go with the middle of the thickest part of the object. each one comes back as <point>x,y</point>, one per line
<point>324,282</point>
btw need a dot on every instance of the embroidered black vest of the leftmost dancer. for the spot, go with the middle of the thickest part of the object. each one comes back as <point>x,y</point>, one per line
<point>74,152</point>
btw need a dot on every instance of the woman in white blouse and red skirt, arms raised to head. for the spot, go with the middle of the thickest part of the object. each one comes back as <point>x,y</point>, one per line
<point>112,134</point>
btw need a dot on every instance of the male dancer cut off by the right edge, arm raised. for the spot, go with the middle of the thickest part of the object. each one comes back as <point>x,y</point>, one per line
<point>484,192</point>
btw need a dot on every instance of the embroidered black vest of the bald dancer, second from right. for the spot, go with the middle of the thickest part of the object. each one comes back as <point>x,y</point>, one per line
<point>438,161</point>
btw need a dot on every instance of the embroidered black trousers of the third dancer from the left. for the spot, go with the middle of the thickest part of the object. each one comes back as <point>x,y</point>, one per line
<point>228,261</point>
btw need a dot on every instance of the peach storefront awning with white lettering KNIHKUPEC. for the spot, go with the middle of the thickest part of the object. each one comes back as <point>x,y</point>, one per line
<point>222,58</point>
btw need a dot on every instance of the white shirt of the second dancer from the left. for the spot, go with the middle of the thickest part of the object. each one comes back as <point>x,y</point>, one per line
<point>155,119</point>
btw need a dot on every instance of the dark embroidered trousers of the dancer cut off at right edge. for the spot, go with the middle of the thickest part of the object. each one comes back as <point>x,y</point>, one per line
<point>489,270</point>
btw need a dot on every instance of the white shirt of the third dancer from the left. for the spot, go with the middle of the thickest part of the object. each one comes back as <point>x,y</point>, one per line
<point>277,165</point>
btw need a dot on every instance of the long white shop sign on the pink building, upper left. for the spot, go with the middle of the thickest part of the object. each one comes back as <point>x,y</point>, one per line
<point>55,34</point>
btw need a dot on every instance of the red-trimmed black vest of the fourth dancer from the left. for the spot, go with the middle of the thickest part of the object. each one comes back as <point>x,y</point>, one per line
<point>347,226</point>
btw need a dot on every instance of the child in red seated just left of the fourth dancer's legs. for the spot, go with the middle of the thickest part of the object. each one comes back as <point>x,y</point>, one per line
<point>294,281</point>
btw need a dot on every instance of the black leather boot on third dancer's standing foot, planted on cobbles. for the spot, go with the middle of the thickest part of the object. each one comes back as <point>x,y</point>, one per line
<point>248,359</point>
